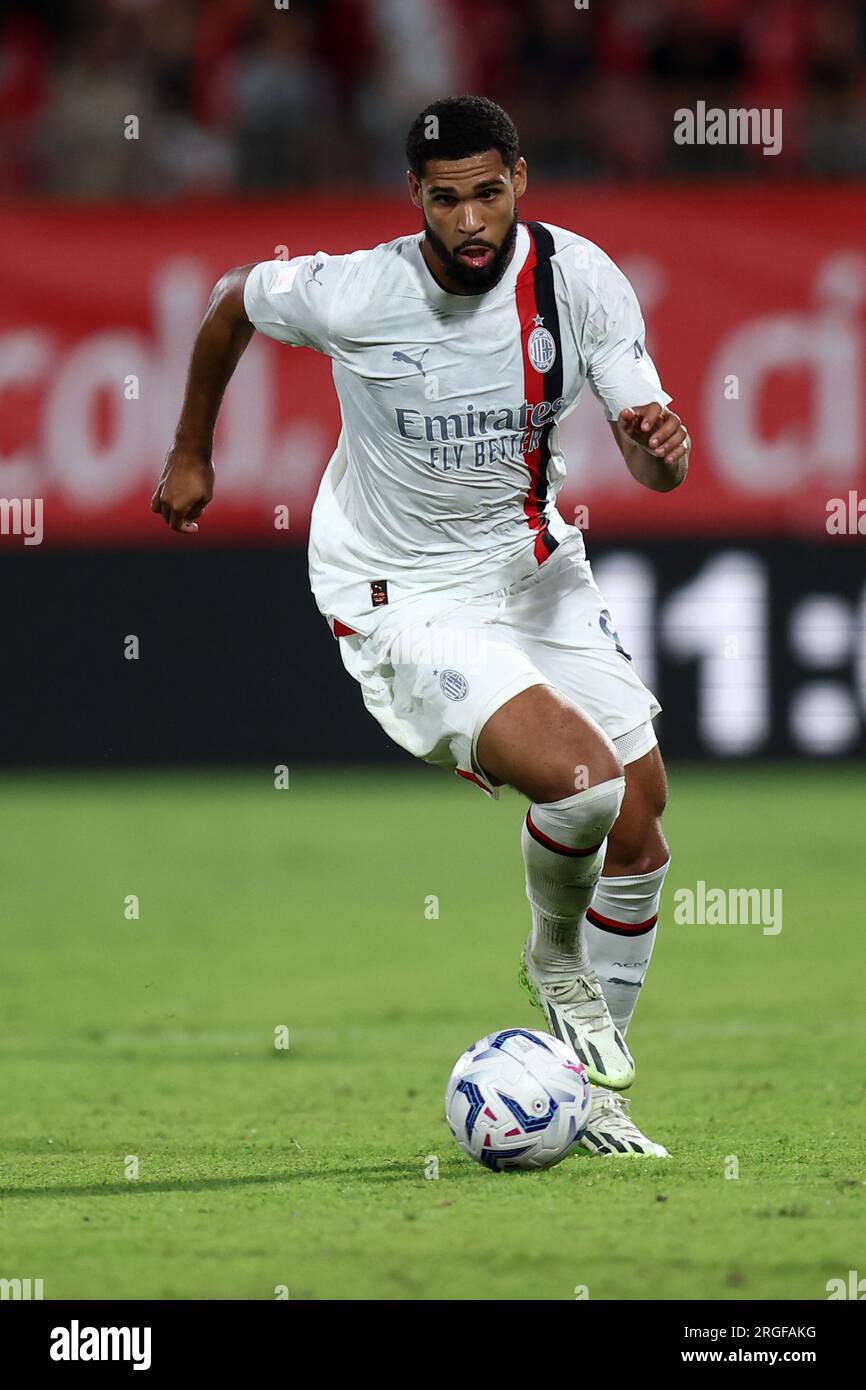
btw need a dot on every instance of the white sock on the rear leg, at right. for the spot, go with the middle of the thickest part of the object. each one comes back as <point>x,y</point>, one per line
<point>619,935</point>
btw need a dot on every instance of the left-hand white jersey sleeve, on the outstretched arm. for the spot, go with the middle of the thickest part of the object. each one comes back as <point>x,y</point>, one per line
<point>293,301</point>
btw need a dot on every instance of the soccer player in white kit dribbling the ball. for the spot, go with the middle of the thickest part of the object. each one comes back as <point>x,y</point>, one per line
<point>461,600</point>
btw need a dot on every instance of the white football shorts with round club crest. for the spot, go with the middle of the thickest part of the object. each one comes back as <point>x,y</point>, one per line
<point>437,668</point>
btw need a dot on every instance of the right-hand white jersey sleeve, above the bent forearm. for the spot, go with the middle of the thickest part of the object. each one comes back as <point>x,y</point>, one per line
<point>621,370</point>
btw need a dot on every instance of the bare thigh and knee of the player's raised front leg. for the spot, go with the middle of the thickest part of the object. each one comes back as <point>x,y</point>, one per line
<point>546,747</point>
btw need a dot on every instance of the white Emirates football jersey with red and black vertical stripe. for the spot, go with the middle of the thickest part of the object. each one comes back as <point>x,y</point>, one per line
<point>448,465</point>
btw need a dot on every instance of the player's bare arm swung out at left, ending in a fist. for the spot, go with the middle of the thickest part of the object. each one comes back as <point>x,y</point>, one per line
<point>187,483</point>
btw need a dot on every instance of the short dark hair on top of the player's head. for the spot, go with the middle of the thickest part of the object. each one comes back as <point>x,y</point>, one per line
<point>464,126</point>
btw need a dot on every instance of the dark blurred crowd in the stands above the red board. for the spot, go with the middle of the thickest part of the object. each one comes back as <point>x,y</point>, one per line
<point>272,95</point>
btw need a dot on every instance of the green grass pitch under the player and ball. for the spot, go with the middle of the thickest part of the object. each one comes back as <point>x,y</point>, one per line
<point>305,1168</point>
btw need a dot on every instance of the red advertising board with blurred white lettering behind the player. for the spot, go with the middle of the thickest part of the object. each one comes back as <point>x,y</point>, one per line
<point>754,302</point>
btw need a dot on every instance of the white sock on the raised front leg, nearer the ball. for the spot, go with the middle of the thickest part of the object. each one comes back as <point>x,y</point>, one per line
<point>564,850</point>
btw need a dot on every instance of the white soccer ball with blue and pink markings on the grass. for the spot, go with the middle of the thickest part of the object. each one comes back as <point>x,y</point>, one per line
<point>518,1099</point>
